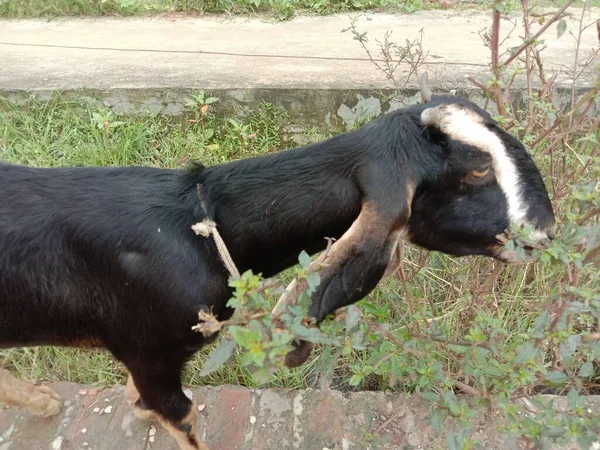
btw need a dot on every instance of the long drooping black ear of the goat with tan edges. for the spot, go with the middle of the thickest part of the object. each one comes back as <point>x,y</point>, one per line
<point>354,265</point>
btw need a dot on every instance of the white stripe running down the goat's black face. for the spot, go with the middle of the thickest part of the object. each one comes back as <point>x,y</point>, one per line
<point>466,126</point>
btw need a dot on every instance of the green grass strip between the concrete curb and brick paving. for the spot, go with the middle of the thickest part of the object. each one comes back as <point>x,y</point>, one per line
<point>72,133</point>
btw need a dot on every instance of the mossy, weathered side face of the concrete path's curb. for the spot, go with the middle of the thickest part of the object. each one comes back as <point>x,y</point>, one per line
<point>326,110</point>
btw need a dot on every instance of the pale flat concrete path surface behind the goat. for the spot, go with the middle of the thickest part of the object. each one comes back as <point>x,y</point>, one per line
<point>224,53</point>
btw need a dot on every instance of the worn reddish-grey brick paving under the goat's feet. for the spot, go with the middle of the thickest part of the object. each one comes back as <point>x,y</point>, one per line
<point>235,418</point>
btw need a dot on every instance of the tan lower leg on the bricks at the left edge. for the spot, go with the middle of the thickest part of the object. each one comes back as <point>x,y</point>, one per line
<point>39,400</point>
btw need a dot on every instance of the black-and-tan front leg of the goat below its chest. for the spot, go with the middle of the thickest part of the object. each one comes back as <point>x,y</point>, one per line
<point>156,391</point>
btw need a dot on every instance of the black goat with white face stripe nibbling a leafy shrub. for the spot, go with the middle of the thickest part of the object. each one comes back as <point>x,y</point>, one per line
<point>106,257</point>
